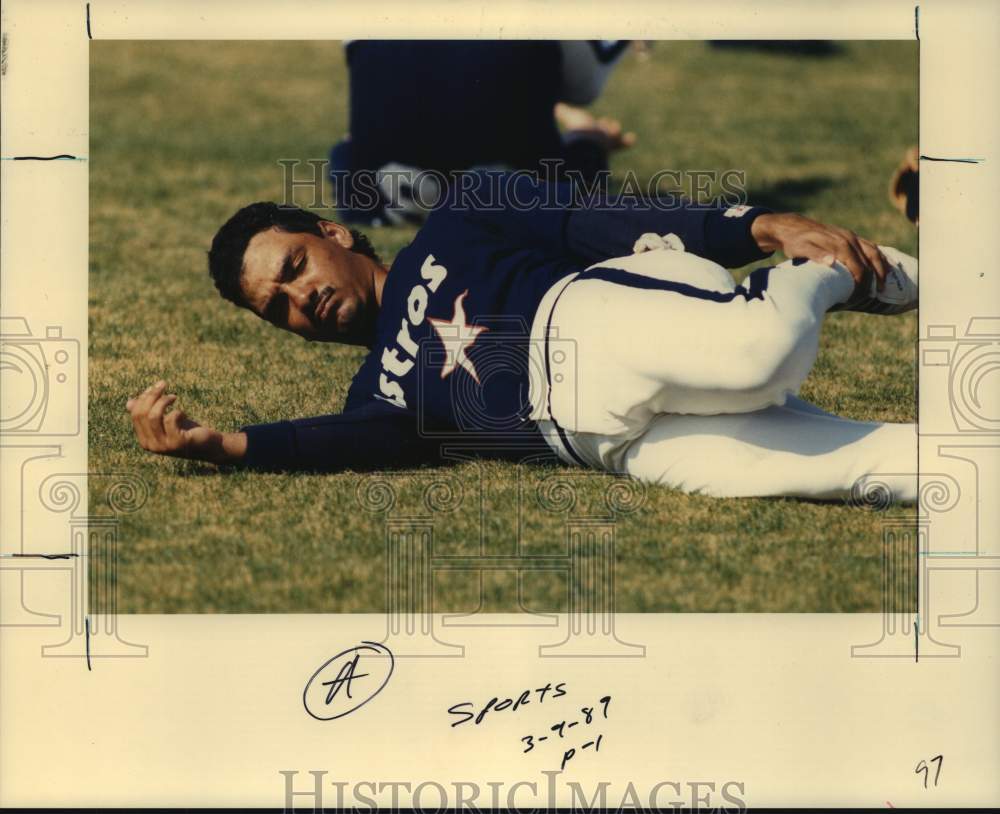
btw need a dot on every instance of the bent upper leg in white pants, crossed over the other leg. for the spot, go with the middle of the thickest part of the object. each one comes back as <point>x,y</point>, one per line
<point>658,333</point>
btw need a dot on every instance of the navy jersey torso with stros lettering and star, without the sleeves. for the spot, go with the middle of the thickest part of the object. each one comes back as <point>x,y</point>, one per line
<point>453,327</point>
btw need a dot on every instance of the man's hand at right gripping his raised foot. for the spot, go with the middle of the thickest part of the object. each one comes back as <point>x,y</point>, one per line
<point>798,236</point>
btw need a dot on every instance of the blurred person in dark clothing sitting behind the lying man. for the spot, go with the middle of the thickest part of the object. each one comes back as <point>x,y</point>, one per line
<point>449,105</point>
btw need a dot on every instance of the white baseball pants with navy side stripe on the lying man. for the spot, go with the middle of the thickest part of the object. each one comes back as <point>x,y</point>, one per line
<point>684,379</point>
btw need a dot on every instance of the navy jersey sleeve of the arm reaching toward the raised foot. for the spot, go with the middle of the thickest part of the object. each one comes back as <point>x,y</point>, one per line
<point>591,228</point>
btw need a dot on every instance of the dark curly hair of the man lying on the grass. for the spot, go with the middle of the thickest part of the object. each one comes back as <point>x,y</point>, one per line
<point>225,258</point>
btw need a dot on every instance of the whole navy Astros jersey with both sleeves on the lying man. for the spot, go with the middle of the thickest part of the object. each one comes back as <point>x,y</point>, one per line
<point>450,355</point>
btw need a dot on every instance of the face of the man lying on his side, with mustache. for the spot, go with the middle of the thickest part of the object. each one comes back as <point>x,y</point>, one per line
<point>311,285</point>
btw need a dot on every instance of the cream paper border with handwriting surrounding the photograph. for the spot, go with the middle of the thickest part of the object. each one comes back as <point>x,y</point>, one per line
<point>216,700</point>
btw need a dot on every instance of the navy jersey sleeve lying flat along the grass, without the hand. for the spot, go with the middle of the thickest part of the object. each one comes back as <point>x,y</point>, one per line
<point>375,436</point>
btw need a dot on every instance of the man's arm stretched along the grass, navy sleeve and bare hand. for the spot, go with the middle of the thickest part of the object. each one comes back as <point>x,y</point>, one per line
<point>376,436</point>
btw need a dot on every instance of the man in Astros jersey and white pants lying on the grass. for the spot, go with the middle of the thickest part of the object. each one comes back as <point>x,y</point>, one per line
<point>611,335</point>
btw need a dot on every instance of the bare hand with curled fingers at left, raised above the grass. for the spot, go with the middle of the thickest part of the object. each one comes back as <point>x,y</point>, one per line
<point>173,433</point>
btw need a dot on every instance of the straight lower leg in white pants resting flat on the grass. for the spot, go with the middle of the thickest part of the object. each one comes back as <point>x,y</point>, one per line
<point>779,451</point>
